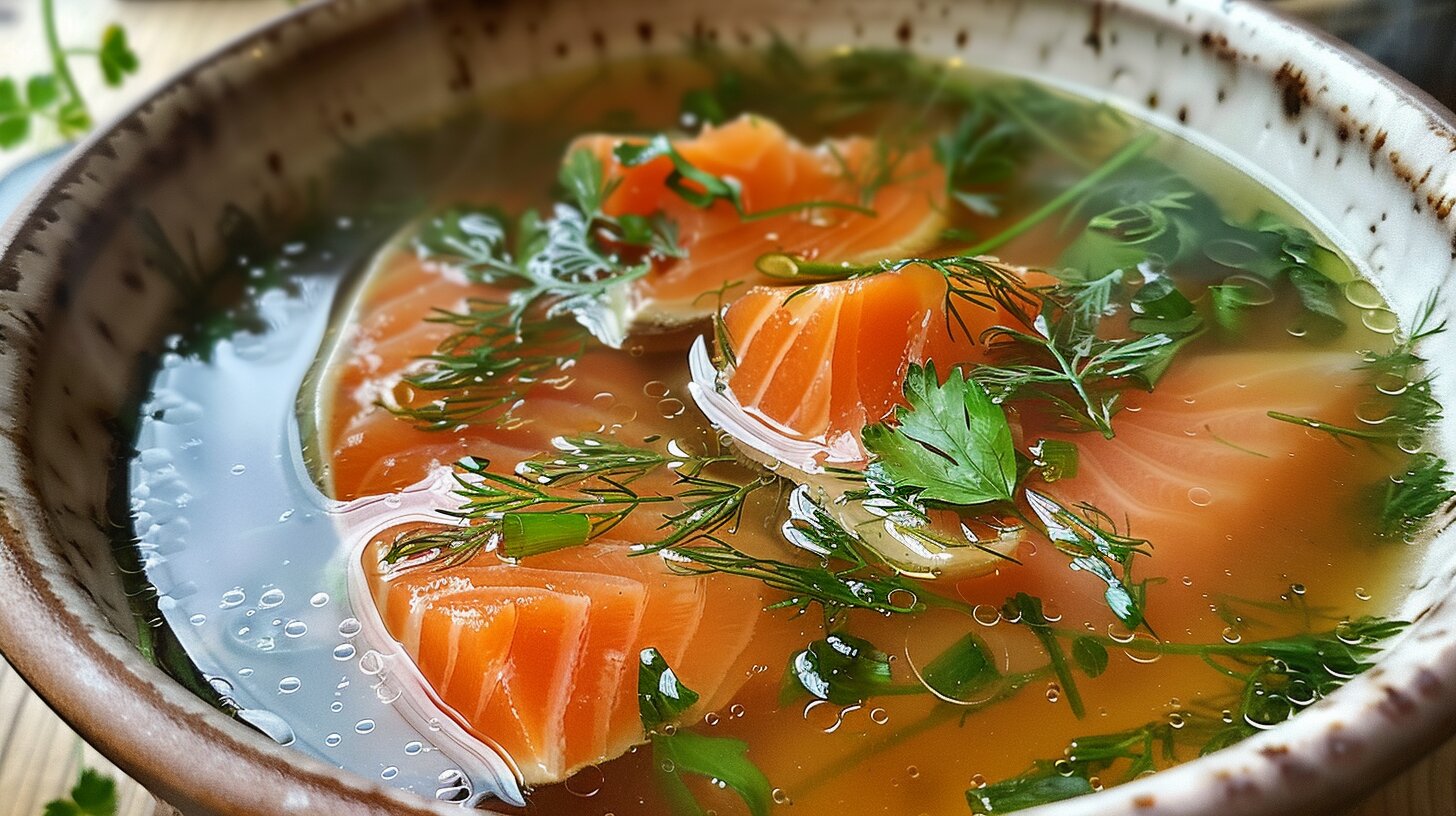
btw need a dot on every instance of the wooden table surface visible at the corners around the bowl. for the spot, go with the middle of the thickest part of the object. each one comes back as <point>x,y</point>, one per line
<point>40,757</point>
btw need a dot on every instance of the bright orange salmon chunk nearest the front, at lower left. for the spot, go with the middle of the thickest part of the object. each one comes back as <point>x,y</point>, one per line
<point>541,659</point>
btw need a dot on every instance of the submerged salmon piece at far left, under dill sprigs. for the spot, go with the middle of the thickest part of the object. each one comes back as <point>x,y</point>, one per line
<point>368,451</point>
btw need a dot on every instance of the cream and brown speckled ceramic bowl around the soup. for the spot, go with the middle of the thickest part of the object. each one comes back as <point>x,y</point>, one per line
<point>1372,161</point>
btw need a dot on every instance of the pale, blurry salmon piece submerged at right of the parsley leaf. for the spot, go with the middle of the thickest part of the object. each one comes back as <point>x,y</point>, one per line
<point>1198,467</point>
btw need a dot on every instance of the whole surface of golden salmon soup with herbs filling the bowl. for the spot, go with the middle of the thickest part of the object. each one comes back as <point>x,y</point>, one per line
<point>842,432</point>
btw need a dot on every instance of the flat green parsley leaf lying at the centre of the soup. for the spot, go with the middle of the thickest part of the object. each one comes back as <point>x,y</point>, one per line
<point>953,444</point>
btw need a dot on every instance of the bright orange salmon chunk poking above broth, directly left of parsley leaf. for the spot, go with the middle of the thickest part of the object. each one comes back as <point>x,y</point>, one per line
<point>818,365</point>
